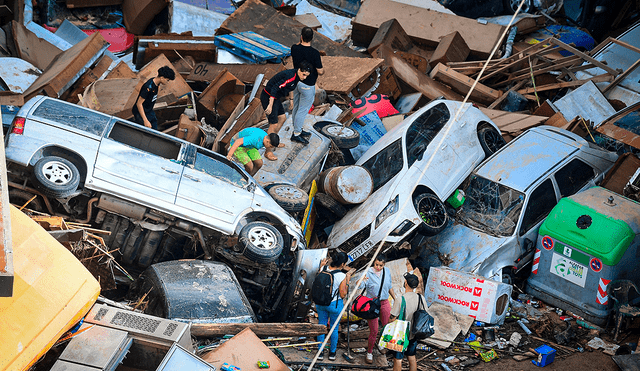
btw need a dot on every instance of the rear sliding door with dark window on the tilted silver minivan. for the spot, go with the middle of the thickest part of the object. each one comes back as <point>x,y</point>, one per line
<point>138,163</point>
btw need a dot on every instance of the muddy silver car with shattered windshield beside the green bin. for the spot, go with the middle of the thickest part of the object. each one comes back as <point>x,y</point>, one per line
<point>507,198</point>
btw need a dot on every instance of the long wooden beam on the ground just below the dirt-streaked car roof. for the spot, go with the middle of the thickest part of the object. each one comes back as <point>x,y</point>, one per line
<point>260,329</point>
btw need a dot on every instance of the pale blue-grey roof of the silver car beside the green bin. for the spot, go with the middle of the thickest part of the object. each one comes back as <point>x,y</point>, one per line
<point>527,158</point>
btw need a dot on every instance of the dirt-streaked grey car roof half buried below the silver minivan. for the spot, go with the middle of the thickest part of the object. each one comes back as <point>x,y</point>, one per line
<point>187,284</point>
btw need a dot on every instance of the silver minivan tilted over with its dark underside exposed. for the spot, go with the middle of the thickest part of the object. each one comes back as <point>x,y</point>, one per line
<point>161,198</point>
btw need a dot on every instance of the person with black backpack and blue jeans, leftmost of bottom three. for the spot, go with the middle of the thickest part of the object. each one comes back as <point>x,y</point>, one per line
<point>328,290</point>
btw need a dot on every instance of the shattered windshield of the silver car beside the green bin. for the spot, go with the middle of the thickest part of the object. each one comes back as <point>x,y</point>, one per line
<point>491,207</point>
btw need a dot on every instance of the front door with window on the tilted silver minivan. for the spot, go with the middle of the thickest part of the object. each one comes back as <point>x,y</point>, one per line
<point>214,188</point>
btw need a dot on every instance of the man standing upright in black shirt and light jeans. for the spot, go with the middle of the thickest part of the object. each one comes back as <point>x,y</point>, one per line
<point>305,92</point>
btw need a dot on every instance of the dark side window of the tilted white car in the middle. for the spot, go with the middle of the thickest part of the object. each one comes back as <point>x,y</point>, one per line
<point>423,130</point>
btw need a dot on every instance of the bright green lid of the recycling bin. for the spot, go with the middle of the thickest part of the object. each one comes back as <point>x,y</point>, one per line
<point>585,229</point>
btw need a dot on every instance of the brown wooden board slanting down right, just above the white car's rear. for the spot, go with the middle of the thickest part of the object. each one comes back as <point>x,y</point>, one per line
<point>414,78</point>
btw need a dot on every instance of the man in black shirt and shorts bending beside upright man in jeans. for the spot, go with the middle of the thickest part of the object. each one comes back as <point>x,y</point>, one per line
<point>279,86</point>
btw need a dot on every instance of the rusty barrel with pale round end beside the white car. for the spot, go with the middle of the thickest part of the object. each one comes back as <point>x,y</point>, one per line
<point>348,185</point>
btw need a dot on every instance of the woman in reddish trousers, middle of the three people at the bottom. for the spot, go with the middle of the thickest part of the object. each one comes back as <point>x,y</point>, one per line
<point>378,282</point>
